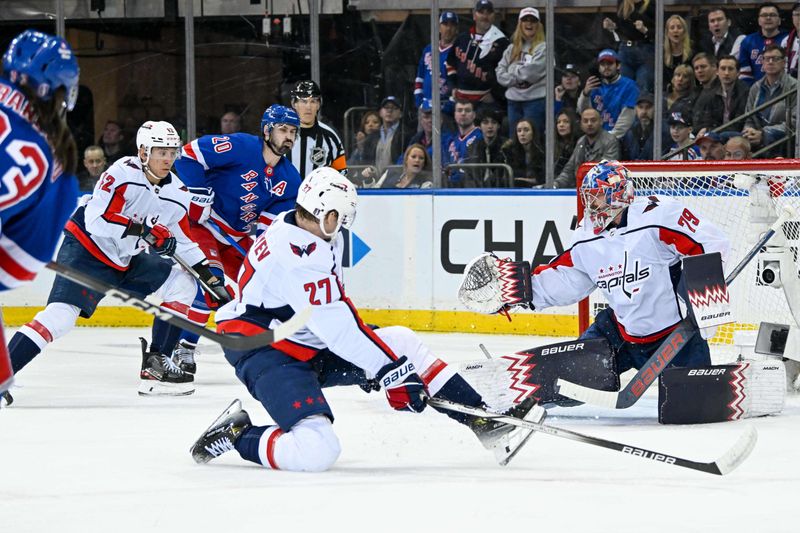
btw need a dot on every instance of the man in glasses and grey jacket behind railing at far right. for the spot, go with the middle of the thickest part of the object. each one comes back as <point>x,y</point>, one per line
<point>770,124</point>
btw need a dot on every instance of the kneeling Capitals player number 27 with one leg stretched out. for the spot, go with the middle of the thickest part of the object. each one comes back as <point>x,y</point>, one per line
<point>297,263</point>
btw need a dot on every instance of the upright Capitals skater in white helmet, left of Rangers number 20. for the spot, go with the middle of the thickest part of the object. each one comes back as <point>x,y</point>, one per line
<point>136,205</point>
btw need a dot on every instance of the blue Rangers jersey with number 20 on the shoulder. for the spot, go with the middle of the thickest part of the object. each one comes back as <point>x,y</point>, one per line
<point>246,189</point>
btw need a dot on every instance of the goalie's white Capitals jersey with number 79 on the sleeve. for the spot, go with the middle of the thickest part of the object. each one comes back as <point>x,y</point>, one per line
<point>634,265</point>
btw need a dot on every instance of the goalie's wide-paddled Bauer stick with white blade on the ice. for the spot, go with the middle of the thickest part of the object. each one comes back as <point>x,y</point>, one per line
<point>667,350</point>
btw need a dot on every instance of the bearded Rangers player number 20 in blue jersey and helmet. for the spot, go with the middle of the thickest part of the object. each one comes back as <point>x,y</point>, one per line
<point>240,182</point>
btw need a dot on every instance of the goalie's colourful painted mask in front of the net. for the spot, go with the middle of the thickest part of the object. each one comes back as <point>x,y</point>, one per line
<point>606,191</point>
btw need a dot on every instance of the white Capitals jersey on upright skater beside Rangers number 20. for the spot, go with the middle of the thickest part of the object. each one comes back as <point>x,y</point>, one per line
<point>122,195</point>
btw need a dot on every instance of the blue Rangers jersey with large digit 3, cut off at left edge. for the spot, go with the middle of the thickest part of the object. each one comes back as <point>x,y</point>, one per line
<point>36,197</point>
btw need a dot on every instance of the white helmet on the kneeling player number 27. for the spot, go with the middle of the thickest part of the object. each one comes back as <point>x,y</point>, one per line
<point>324,190</point>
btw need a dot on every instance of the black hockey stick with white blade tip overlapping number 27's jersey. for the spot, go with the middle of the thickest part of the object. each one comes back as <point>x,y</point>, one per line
<point>234,342</point>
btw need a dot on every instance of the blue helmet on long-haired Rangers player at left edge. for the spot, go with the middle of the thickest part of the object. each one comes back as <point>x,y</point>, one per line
<point>45,63</point>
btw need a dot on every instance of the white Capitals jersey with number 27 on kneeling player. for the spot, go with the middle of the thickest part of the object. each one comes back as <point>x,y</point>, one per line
<point>286,270</point>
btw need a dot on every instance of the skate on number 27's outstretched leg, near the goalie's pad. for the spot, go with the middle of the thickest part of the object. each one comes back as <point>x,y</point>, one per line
<point>503,439</point>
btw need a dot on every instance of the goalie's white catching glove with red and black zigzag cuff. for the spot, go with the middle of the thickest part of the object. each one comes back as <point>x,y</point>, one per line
<point>493,285</point>
